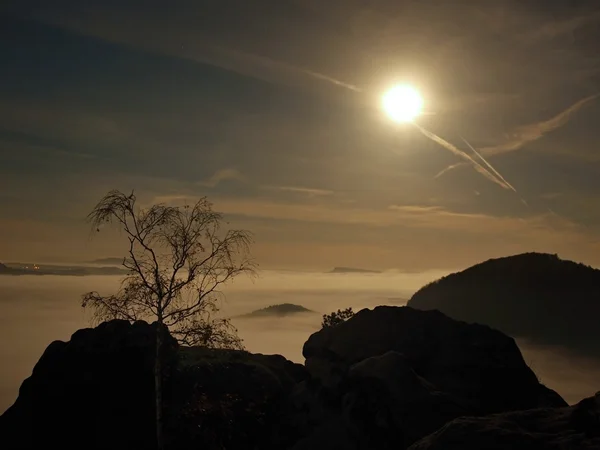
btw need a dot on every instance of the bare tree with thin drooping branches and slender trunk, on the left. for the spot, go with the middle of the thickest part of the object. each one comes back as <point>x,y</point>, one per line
<point>178,259</point>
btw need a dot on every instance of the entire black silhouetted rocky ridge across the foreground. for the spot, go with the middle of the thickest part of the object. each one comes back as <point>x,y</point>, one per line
<point>385,378</point>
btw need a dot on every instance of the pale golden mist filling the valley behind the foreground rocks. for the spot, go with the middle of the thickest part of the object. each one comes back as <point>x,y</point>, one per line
<point>34,311</point>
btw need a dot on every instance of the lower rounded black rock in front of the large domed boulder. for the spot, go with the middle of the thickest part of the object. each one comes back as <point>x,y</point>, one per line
<point>381,404</point>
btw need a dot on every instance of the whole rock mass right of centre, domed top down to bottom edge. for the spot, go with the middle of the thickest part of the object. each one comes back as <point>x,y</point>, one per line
<point>391,375</point>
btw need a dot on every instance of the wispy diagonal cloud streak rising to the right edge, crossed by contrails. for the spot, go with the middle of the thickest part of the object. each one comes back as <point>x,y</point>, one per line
<point>529,133</point>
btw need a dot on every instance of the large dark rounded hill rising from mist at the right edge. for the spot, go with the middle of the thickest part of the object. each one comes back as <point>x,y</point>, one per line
<point>534,295</point>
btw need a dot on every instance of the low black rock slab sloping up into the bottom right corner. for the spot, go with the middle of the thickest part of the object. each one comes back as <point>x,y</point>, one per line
<point>576,427</point>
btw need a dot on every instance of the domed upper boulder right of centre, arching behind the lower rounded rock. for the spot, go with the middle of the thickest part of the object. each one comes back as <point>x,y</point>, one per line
<point>473,362</point>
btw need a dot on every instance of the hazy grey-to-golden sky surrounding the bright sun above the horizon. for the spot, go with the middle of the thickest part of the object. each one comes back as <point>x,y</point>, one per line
<point>272,109</point>
